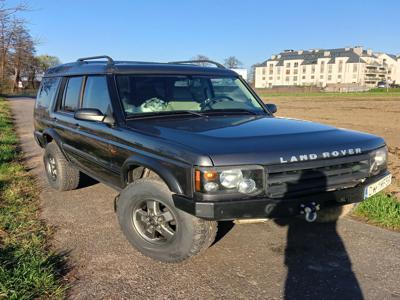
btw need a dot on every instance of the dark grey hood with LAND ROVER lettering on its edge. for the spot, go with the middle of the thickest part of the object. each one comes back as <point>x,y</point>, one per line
<point>238,140</point>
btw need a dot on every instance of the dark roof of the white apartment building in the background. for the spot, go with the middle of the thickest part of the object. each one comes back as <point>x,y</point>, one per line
<point>312,56</point>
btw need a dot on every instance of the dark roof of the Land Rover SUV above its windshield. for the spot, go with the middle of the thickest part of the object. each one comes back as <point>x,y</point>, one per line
<point>132,67</point>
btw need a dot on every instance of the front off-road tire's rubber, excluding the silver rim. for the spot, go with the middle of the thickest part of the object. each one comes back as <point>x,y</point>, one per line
<point>192,236</point>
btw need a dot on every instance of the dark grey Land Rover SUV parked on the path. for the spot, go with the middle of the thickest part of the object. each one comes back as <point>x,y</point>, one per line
<point>188,145</point>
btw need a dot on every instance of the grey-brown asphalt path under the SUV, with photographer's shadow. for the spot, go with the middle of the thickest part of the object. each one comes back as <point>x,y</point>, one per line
<point>292,260</point>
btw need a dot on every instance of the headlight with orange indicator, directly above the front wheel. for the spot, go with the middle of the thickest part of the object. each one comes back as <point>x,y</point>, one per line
<point>243,179</point>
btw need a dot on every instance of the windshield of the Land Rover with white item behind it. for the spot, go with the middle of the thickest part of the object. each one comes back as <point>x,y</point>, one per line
<point>168,94</point>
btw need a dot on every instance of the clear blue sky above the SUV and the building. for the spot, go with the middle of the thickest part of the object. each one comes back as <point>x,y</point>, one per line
<point>252,30</point>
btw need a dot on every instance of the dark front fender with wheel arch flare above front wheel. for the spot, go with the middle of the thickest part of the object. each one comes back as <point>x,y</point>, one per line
<point>177,175</point>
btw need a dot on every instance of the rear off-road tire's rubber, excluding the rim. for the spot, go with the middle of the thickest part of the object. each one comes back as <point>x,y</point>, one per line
<point>67,176</point>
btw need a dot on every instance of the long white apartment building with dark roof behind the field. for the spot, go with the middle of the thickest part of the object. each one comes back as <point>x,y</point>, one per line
<point>328,67</point>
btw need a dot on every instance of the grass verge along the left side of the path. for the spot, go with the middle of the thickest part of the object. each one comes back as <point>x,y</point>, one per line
<point>28,269</point>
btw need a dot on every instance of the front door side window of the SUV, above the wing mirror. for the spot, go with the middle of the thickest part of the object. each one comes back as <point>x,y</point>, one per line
<point>96,94</point>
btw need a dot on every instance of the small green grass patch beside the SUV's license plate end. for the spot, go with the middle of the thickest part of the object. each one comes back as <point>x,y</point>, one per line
<point>381,209</point>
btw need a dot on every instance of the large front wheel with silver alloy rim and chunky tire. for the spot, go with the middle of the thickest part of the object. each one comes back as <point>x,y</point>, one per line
<point>152,224</point>
